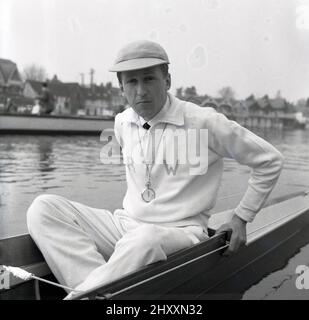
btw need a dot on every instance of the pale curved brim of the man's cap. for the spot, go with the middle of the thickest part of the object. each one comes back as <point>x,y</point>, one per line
<point>136,64</point>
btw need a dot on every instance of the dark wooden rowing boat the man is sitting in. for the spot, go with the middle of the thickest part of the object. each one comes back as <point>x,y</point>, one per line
<point>200,272</point>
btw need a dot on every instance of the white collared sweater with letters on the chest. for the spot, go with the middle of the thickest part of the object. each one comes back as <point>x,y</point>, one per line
<point>184,197</point>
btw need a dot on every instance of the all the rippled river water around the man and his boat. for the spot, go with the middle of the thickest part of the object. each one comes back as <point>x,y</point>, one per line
<point>70,166</point>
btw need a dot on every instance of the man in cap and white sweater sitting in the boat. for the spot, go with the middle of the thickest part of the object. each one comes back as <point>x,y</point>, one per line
<point>163,210</point>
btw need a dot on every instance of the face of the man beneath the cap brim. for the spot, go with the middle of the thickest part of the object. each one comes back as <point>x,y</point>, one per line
<point>145,90</point>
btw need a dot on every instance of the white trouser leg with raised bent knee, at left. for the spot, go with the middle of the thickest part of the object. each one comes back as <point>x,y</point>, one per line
<point>73,238</point>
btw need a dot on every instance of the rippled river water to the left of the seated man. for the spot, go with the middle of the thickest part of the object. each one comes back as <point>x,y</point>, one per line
<point>68,166</point>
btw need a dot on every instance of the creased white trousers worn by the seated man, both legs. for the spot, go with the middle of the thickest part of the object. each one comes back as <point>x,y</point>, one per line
<point>85,247</point>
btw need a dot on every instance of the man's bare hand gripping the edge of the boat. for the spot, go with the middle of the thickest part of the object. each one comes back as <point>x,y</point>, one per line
<point>239,235</point>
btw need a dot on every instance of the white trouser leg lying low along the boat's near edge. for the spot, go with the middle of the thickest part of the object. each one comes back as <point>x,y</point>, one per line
<point>139,247</point>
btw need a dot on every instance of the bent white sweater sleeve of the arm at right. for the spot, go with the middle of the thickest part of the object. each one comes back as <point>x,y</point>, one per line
<point>229,139</point>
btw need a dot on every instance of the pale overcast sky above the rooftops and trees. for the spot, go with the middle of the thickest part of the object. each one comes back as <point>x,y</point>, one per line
<point>254,46</point>
